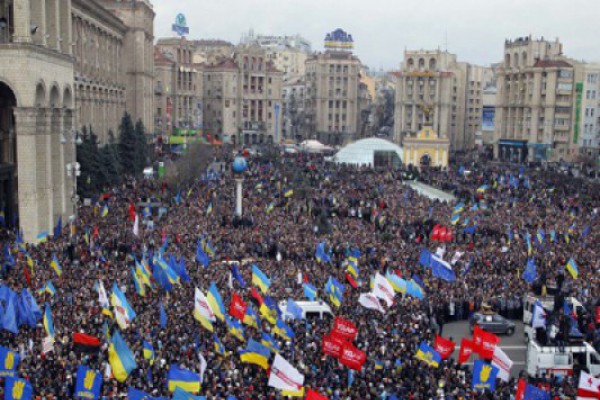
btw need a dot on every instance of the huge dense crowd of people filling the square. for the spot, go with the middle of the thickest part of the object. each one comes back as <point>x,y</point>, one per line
<point>346,208</point>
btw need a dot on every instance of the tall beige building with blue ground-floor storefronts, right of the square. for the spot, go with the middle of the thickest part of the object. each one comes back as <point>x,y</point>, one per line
<point>535,102</point>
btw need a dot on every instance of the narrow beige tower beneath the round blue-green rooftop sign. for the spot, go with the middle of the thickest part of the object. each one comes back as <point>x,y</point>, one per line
<point>181,96</point>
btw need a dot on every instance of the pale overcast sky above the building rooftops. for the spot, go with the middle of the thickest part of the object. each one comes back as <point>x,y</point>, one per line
<point>382,29</point>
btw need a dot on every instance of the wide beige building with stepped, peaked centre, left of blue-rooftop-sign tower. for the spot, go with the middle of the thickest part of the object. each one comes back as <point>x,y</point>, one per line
<point>242,98</point>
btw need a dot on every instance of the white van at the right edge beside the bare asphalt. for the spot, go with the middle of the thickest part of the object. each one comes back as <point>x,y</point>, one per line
<point>558,361</point>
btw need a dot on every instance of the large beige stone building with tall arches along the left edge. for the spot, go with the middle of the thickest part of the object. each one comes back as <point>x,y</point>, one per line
<point>63,64</point>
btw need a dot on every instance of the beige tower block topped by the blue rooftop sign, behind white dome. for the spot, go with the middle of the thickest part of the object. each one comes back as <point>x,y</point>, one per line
<point>332,97</point>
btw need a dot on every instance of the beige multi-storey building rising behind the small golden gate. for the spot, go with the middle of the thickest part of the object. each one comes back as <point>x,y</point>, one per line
<point>450,91</point>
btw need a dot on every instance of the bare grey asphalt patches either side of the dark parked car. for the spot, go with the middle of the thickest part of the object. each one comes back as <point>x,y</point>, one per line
<point>514,346</point>
